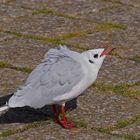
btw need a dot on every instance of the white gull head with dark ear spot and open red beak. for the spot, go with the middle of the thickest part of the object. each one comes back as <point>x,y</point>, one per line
<point>96,57</point>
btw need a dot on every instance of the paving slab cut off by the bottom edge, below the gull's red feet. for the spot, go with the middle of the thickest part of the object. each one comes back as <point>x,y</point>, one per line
<point>61,134</point>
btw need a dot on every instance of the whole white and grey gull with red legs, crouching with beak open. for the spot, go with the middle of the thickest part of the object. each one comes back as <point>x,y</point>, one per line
<point>62,76</point>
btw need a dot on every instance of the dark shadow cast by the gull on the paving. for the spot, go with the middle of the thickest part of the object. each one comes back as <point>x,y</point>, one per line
<point>28,115</point>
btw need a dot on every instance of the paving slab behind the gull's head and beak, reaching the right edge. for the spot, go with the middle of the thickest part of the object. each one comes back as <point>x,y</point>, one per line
<point>126,41</point>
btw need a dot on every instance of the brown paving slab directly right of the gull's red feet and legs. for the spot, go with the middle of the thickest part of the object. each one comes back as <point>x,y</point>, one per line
<point>102,109</point>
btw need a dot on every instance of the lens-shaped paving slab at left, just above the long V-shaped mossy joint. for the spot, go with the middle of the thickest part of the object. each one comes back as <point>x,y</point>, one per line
<point>45,25</point>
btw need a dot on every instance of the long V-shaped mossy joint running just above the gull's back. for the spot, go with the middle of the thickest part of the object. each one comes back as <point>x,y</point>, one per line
<point>60,39</point>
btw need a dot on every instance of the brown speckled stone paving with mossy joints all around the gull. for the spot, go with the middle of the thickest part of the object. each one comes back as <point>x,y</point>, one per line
<point>109,109</point>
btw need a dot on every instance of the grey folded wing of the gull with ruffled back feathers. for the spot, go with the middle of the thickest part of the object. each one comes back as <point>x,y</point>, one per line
<point>56,75</point>
